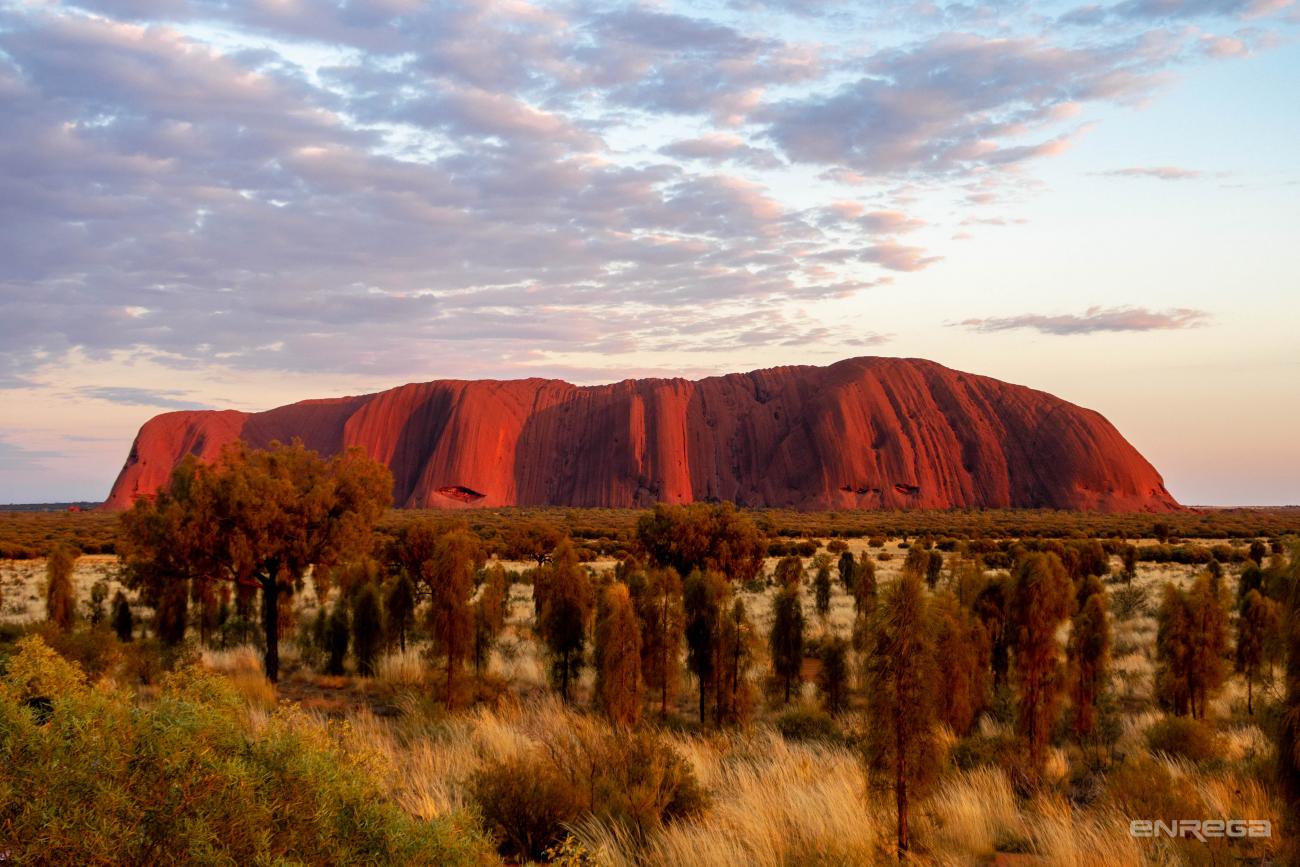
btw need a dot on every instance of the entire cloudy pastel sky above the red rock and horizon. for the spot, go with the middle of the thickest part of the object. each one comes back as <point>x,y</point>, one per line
<point>244,205</point>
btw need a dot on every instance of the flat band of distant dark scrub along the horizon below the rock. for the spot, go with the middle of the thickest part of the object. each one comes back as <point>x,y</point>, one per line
<point>27,535</point>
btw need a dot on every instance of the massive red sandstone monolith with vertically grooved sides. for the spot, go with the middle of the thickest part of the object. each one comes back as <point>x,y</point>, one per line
<point>863,433</point>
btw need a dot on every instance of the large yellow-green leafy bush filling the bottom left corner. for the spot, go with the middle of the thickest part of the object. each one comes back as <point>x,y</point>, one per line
<point>92,777</point>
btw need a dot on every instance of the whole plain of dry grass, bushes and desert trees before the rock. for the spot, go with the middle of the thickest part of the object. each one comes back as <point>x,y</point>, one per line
<point>695,692</point>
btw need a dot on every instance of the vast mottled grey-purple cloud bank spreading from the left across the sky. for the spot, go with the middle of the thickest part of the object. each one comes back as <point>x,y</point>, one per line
<point>384,188</point>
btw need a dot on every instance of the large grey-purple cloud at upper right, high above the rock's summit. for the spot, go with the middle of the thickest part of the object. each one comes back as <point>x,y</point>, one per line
<point>961,102</point>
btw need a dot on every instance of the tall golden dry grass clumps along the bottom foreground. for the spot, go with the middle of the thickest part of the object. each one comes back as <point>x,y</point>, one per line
<point>774,803</point>
